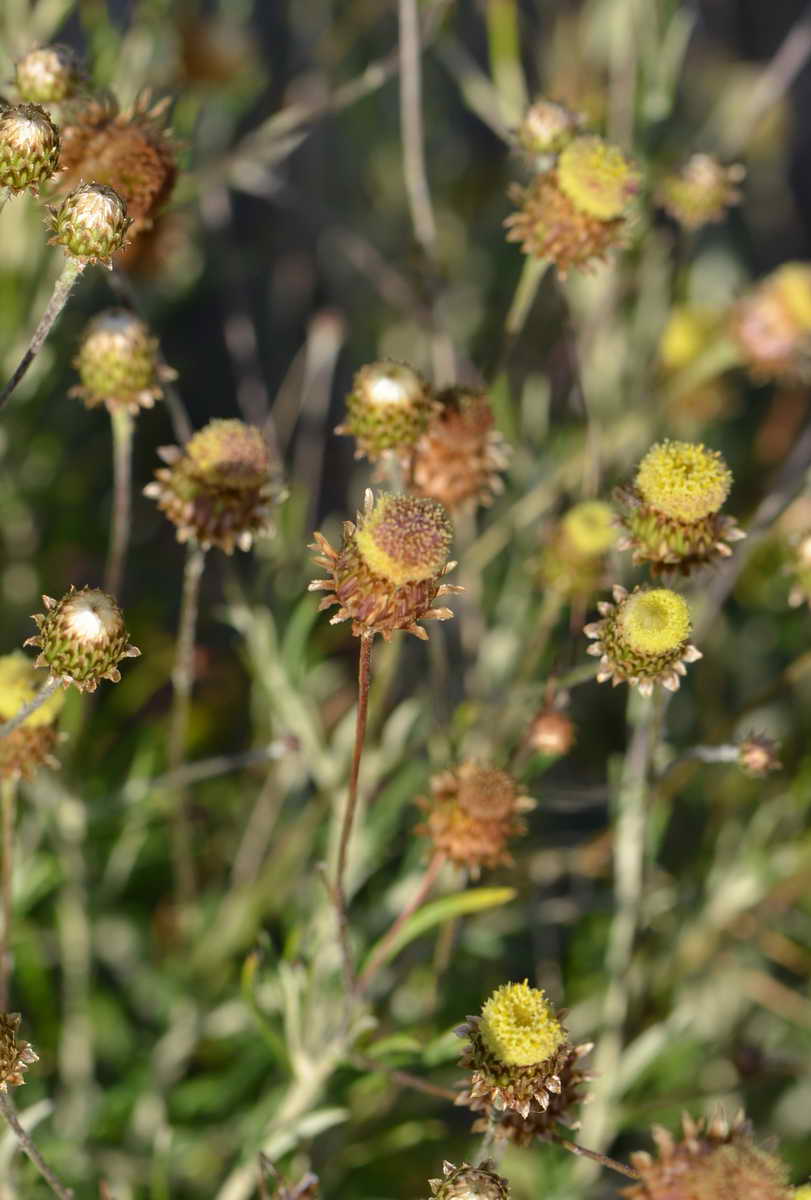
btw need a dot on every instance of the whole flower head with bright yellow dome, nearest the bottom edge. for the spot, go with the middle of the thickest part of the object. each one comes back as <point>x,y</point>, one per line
<point>516,1051</point>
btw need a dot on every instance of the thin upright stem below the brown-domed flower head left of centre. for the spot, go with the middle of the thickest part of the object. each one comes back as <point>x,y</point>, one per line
<point>183,679</point>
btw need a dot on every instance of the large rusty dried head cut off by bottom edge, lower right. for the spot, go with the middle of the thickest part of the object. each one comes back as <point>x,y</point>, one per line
<point>713,1161</point>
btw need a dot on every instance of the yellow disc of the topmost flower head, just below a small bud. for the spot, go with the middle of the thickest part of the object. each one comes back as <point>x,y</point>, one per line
<point>598,178</point>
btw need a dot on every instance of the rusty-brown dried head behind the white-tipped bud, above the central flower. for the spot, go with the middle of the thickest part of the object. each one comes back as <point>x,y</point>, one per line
<point>459,458</point>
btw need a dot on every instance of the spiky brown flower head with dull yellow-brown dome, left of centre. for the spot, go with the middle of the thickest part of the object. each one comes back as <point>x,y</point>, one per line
<point>219,490</point>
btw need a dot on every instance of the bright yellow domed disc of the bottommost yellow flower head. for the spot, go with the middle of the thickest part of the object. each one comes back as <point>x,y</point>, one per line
<point>519,1025</point>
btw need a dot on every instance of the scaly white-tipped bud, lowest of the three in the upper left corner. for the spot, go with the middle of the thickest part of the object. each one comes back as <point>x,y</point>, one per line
<point>92,224</point>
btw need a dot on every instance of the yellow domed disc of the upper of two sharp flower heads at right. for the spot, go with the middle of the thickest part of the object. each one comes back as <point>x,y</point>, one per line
<point>684,481</point>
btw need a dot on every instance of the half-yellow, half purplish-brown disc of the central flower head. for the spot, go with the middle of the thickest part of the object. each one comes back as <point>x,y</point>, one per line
<point>405,539</point>
